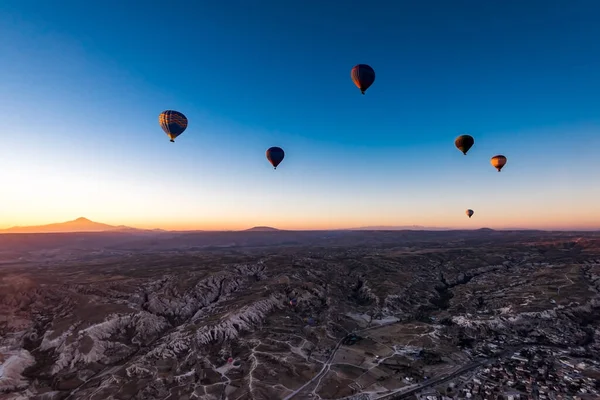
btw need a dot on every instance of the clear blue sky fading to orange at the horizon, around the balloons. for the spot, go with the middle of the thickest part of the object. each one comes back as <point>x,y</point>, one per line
<point>83,83</point>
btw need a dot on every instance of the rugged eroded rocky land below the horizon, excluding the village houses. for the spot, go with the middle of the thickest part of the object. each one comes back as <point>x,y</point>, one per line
<point>280,315</point>
